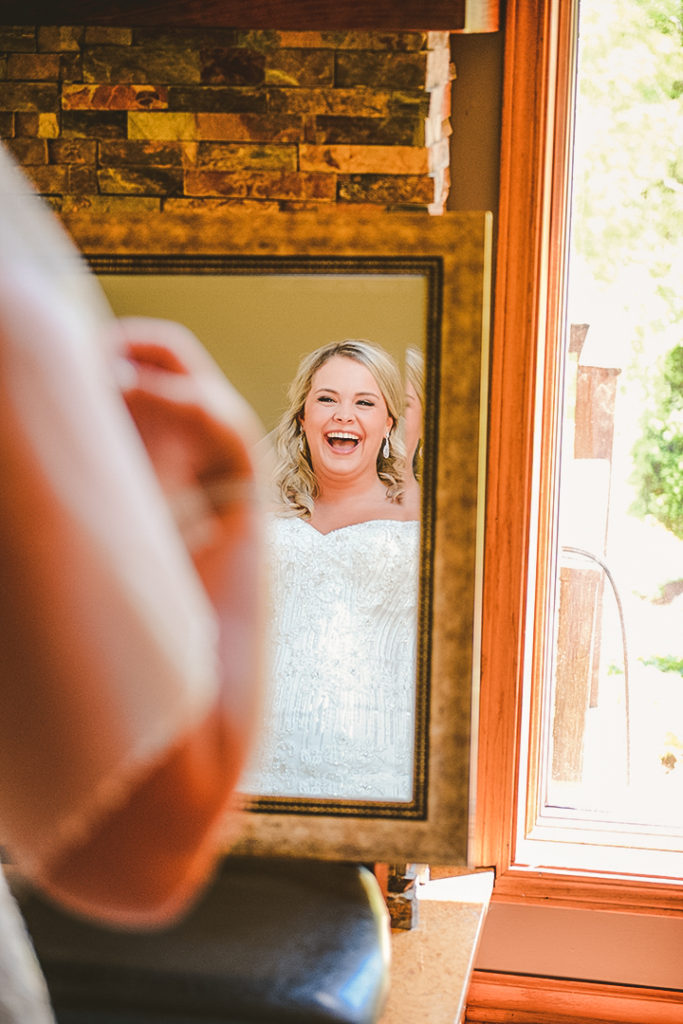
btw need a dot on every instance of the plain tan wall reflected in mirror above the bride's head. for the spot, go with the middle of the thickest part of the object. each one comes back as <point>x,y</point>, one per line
<point>259,328</point>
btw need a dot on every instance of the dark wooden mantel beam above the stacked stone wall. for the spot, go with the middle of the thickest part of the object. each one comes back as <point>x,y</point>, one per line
<point>303,16</point>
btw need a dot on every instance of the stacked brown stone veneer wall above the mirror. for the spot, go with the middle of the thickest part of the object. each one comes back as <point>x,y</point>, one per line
<point>131,120</point>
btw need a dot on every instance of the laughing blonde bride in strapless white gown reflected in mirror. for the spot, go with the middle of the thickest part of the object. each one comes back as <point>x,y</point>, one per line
<point>345,552</point>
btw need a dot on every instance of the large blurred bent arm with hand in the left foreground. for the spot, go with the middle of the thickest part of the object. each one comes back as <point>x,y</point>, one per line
<point>131,550</point>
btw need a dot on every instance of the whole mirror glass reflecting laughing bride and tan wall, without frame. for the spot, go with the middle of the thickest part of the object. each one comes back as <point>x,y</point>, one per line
<point>344,715</point>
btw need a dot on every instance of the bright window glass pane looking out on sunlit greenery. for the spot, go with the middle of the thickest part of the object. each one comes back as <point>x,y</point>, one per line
<point>615,750</point>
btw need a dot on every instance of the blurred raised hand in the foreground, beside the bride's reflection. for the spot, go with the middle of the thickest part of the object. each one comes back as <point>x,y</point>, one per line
<point>198,433</point>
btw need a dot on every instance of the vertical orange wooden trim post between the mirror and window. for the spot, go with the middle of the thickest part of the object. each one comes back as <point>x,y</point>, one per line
<point>520,321</point>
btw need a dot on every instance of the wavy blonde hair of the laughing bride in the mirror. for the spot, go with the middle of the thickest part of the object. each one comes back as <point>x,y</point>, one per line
<point>296,485</point>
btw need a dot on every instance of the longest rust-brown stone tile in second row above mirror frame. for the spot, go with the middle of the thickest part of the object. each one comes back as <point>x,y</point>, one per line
<point>262,185</point>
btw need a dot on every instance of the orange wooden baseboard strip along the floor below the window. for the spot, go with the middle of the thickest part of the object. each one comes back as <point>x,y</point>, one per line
<point>495,999</point>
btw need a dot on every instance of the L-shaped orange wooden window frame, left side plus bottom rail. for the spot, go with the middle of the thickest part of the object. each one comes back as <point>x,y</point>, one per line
<point>526,376</point>
